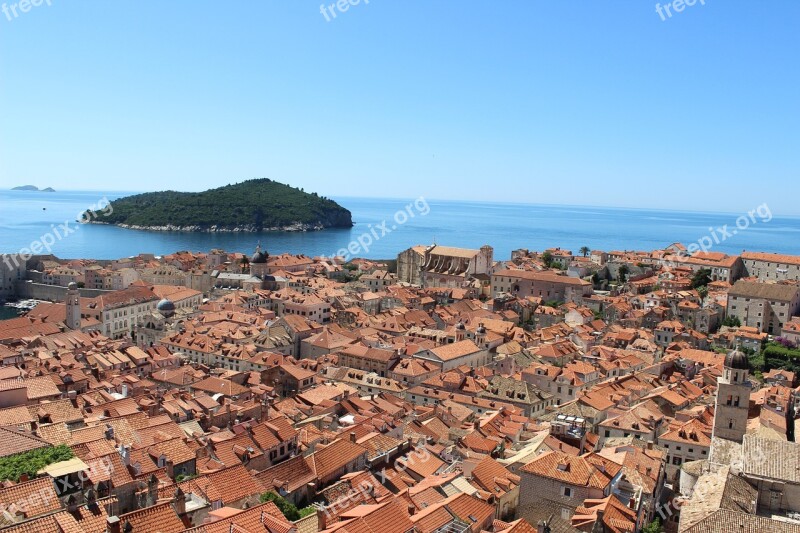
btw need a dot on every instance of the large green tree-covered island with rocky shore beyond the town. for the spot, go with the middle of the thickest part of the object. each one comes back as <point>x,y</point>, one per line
<point>250,206</point>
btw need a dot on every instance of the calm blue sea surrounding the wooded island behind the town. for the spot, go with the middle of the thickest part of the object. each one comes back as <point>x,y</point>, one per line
<point>27,216</point>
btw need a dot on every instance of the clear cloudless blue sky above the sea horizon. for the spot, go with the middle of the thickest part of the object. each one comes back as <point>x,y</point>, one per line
<point>577,102</point>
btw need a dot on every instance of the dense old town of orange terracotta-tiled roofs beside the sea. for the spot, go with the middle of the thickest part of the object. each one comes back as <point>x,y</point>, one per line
<point>443,390</point>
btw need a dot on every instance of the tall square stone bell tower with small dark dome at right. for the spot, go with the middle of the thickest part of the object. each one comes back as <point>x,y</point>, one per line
<point>733,398</point>
